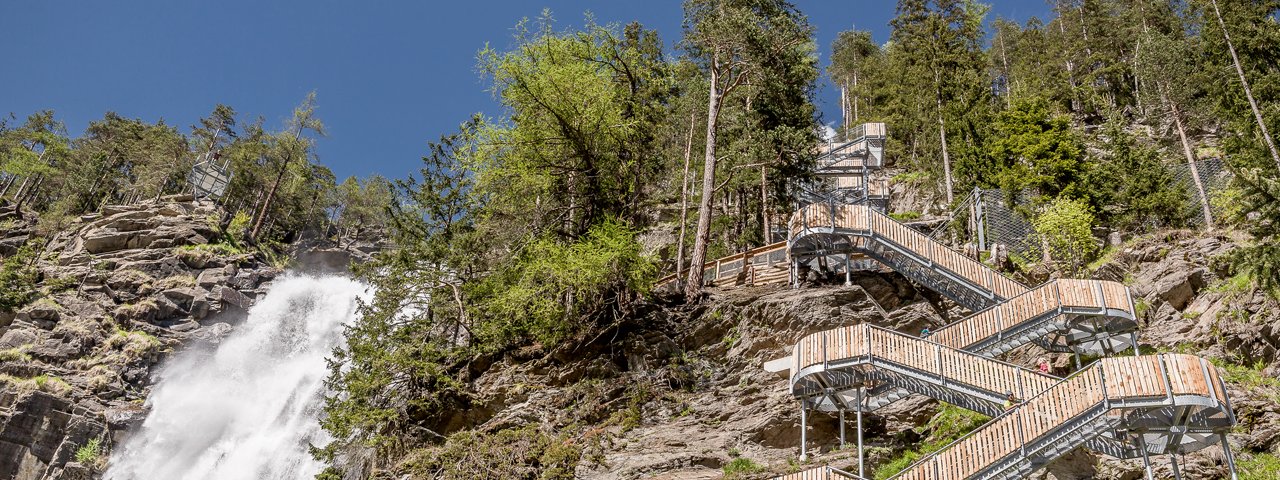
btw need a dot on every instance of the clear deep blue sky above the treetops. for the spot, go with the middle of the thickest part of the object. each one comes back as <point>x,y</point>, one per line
<point>390,76</point>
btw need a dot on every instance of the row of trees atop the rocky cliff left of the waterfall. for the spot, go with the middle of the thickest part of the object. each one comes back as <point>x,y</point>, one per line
<point>278,189</point>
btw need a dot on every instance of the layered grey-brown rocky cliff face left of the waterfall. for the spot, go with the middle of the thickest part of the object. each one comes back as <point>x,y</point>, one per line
<point>122,291</point>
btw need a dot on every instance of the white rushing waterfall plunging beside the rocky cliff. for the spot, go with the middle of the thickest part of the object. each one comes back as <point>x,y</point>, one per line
<point>250,409</point>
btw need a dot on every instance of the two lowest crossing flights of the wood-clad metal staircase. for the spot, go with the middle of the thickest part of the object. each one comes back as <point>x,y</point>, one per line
<point>1124,408</point>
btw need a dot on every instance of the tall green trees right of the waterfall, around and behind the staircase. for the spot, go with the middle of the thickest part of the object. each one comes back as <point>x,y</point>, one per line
<point>532,234</point>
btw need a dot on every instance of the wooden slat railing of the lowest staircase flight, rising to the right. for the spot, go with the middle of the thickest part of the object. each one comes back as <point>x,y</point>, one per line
<point>1112,383</point>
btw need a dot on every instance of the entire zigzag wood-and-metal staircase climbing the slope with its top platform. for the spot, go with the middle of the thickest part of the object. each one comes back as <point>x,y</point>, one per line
<point>1128,408</point>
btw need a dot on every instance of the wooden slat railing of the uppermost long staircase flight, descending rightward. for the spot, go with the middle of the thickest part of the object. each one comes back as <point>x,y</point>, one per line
<point>863,221</point>
